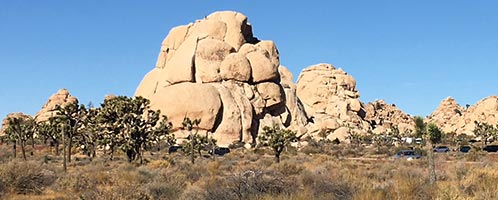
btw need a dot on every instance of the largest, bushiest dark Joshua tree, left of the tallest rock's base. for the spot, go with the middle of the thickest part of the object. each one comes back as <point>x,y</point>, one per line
<point>128,123</point>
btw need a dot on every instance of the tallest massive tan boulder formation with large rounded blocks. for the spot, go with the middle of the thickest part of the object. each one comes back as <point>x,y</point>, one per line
<point>216,71</point>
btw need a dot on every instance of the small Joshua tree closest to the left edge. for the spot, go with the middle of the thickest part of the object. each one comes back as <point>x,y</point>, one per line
<point>19,130</point>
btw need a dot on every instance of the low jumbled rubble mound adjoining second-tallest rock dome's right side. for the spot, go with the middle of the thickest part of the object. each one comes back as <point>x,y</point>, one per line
<point>383,117</point>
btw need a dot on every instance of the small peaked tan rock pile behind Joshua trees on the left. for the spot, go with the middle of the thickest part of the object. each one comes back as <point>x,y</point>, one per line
<point>61,98</point>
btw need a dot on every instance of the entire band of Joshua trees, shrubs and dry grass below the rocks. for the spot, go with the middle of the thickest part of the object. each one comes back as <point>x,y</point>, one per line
<point>120,151</point>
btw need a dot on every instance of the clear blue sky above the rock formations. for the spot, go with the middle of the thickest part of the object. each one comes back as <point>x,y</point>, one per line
<point>410,53</point>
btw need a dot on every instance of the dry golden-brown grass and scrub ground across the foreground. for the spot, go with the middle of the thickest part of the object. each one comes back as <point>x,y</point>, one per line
<point>333,172</point>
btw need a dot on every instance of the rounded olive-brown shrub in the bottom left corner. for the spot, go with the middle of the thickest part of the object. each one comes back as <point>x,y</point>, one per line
<point>26,177</point>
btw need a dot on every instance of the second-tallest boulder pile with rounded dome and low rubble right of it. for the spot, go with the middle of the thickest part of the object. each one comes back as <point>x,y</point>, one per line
<point>330,99</point>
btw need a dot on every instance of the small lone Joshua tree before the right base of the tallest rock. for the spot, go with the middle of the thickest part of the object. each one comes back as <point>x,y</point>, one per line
<point>277,139</point>
